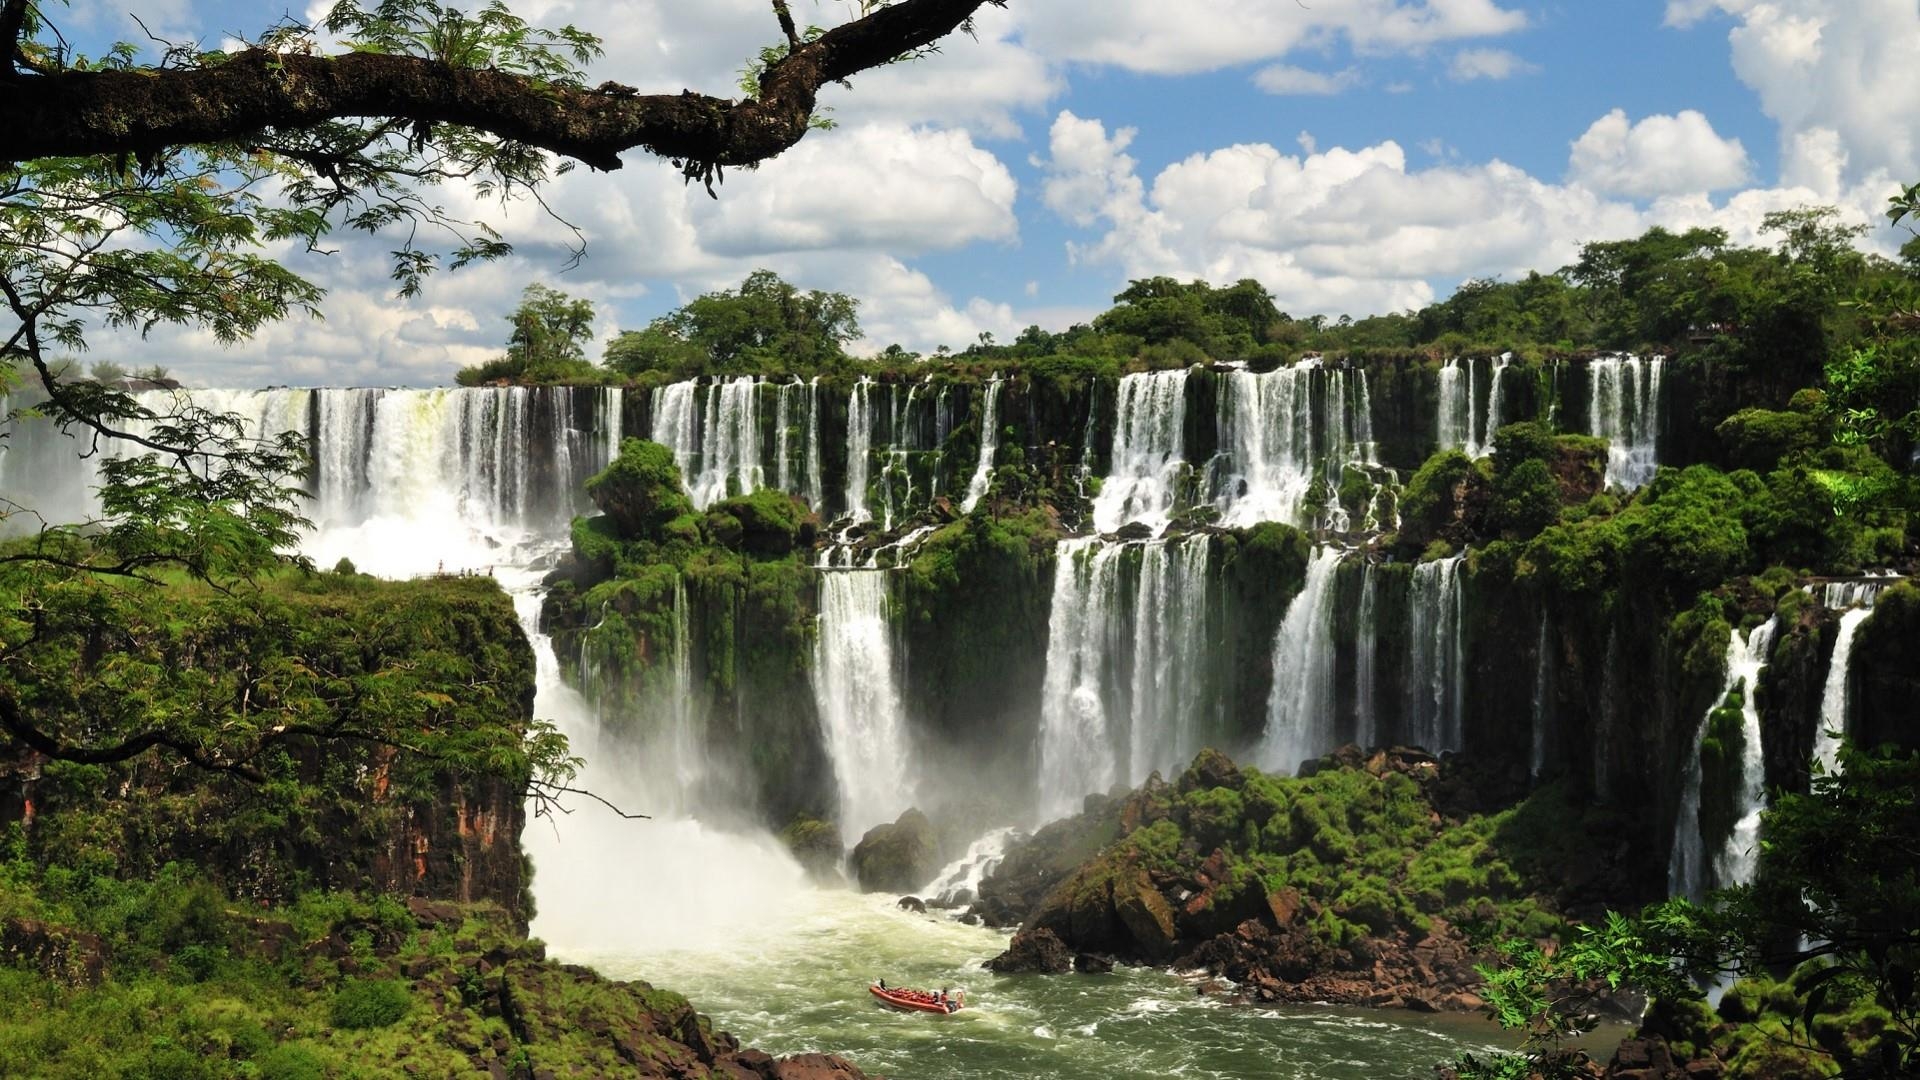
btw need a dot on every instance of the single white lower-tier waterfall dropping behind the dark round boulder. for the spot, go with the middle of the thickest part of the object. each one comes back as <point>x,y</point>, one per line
<point>857,691</point>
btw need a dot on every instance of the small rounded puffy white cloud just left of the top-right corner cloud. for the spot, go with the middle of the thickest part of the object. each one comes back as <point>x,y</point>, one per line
<point>1656,157</point>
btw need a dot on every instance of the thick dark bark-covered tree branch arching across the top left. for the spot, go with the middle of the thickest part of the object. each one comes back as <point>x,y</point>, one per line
<point>254,91</point>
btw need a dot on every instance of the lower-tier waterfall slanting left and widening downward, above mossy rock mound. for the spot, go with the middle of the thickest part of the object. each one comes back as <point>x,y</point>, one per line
<point>1301,704</point>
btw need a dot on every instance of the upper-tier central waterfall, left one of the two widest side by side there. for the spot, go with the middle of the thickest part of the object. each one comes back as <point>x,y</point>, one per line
<point>1149,428</point>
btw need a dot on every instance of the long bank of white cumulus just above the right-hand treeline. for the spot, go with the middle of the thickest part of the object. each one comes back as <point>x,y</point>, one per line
<point>1356,230</point>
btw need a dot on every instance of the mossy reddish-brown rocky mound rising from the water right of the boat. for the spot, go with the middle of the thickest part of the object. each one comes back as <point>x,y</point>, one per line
<point>1239,873</point>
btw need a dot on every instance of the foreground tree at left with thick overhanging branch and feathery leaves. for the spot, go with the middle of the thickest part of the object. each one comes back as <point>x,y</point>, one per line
<point>141,195</point>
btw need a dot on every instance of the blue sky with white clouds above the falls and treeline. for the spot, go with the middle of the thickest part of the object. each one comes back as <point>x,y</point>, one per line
<point>1356,157</point>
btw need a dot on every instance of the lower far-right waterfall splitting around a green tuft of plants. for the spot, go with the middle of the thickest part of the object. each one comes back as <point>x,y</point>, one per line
<point>1689,871</point>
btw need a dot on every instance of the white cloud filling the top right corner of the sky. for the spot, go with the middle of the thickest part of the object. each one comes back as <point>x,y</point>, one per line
<point>1831,68</point>
